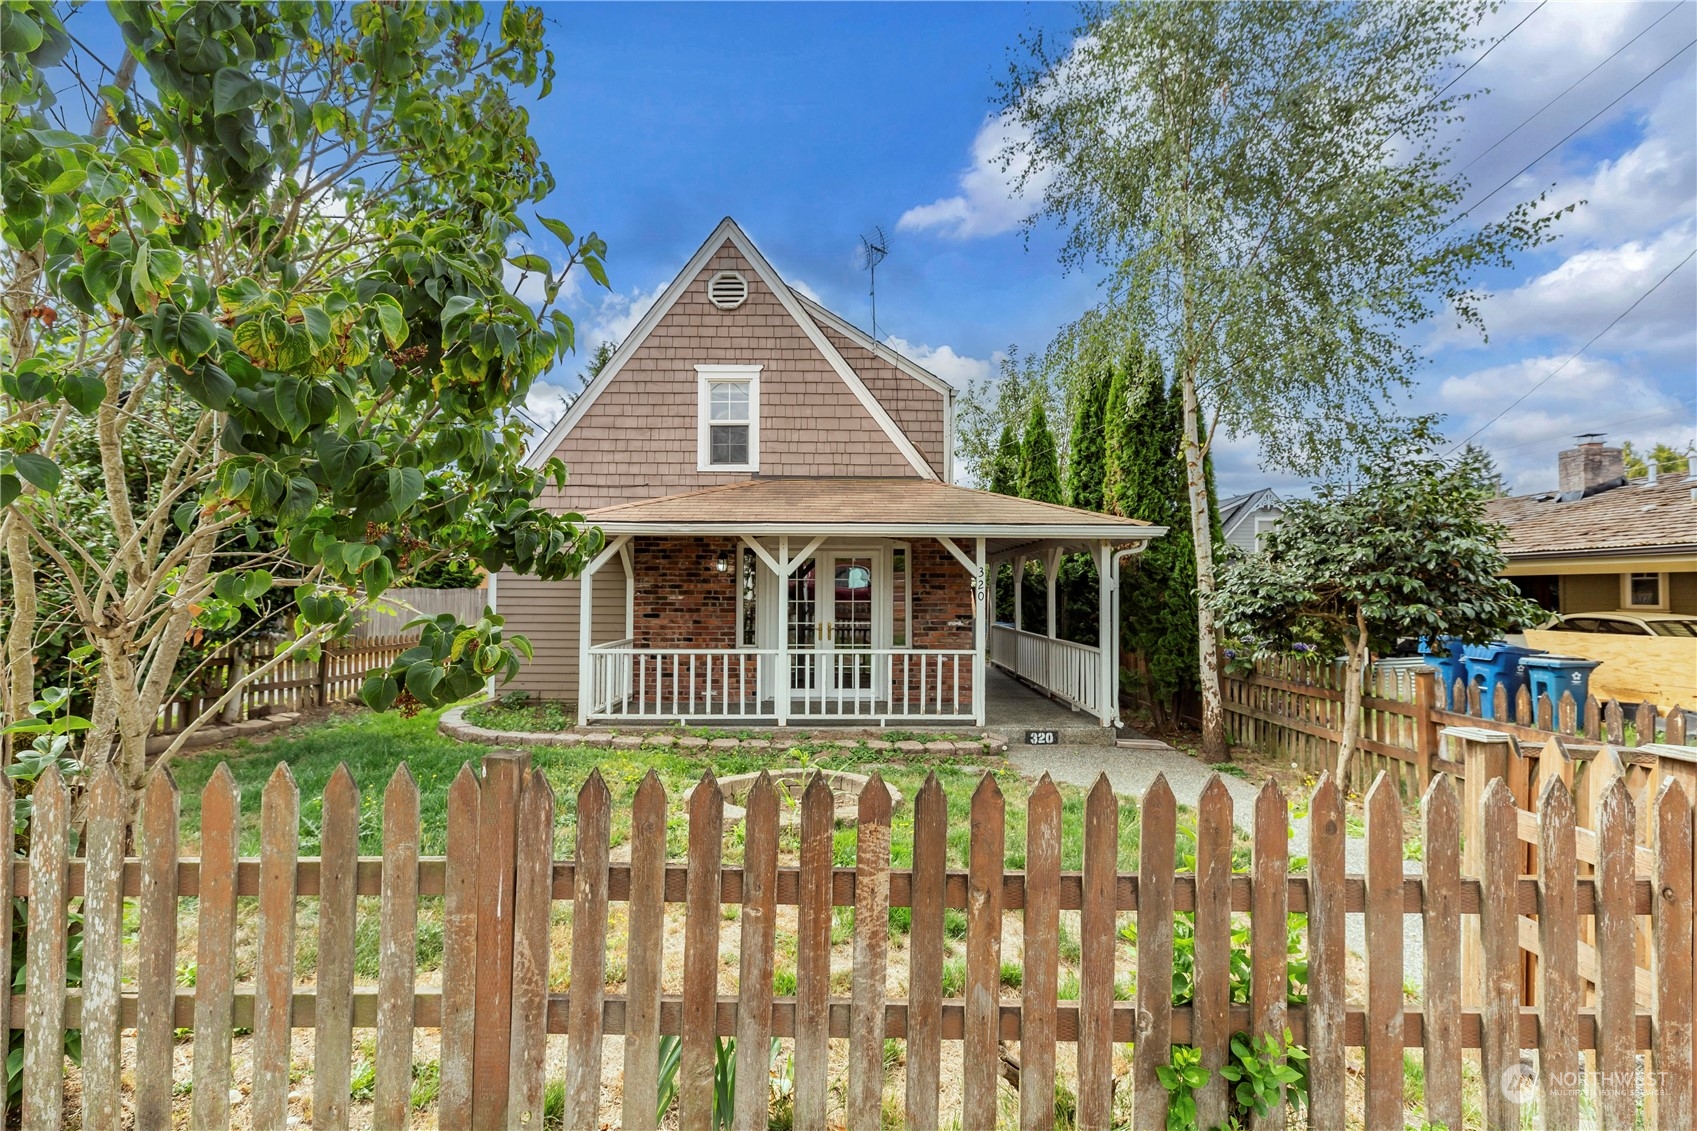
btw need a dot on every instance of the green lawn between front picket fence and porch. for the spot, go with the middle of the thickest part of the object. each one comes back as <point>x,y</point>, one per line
<point>374,745</point>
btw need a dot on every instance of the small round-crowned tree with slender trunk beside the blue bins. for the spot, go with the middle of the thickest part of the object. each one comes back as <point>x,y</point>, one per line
<point>1406,553</point>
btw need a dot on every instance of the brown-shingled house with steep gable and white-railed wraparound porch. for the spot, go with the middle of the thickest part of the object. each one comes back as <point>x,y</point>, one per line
<point>785,537</point>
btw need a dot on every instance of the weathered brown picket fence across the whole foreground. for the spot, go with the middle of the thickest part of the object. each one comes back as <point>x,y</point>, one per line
<point>500,882</point>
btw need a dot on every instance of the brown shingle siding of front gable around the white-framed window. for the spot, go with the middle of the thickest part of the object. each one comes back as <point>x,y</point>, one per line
<point>639,439</point>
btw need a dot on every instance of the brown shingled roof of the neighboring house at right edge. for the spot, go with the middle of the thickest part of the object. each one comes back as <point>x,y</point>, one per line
<point>1652,520</point>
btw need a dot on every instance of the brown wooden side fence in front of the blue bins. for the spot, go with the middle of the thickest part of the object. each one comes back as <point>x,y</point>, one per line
<point>1296,709</point>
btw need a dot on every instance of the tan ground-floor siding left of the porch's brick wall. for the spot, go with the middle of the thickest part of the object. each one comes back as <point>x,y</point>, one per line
<point>547,614</point>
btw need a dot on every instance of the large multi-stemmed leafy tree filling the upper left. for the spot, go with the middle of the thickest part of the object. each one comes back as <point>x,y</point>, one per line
<point>272,279</point>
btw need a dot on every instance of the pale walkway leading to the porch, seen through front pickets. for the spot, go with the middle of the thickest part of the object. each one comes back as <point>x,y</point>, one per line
<point>1133,770</point>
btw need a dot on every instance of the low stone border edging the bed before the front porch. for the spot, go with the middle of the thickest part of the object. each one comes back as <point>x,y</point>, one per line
<point>973,743</point>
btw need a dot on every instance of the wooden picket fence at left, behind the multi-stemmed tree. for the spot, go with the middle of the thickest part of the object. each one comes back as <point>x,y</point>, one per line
<point>291,687</point>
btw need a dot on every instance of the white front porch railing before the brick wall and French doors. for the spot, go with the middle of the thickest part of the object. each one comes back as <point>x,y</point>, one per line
<point>702,685</point>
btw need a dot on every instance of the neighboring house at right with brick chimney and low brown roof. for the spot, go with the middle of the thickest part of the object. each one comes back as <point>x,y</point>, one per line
<point>1601,543</point>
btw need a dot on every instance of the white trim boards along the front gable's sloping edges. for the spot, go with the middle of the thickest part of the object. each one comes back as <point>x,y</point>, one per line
<point>793,305</point>
